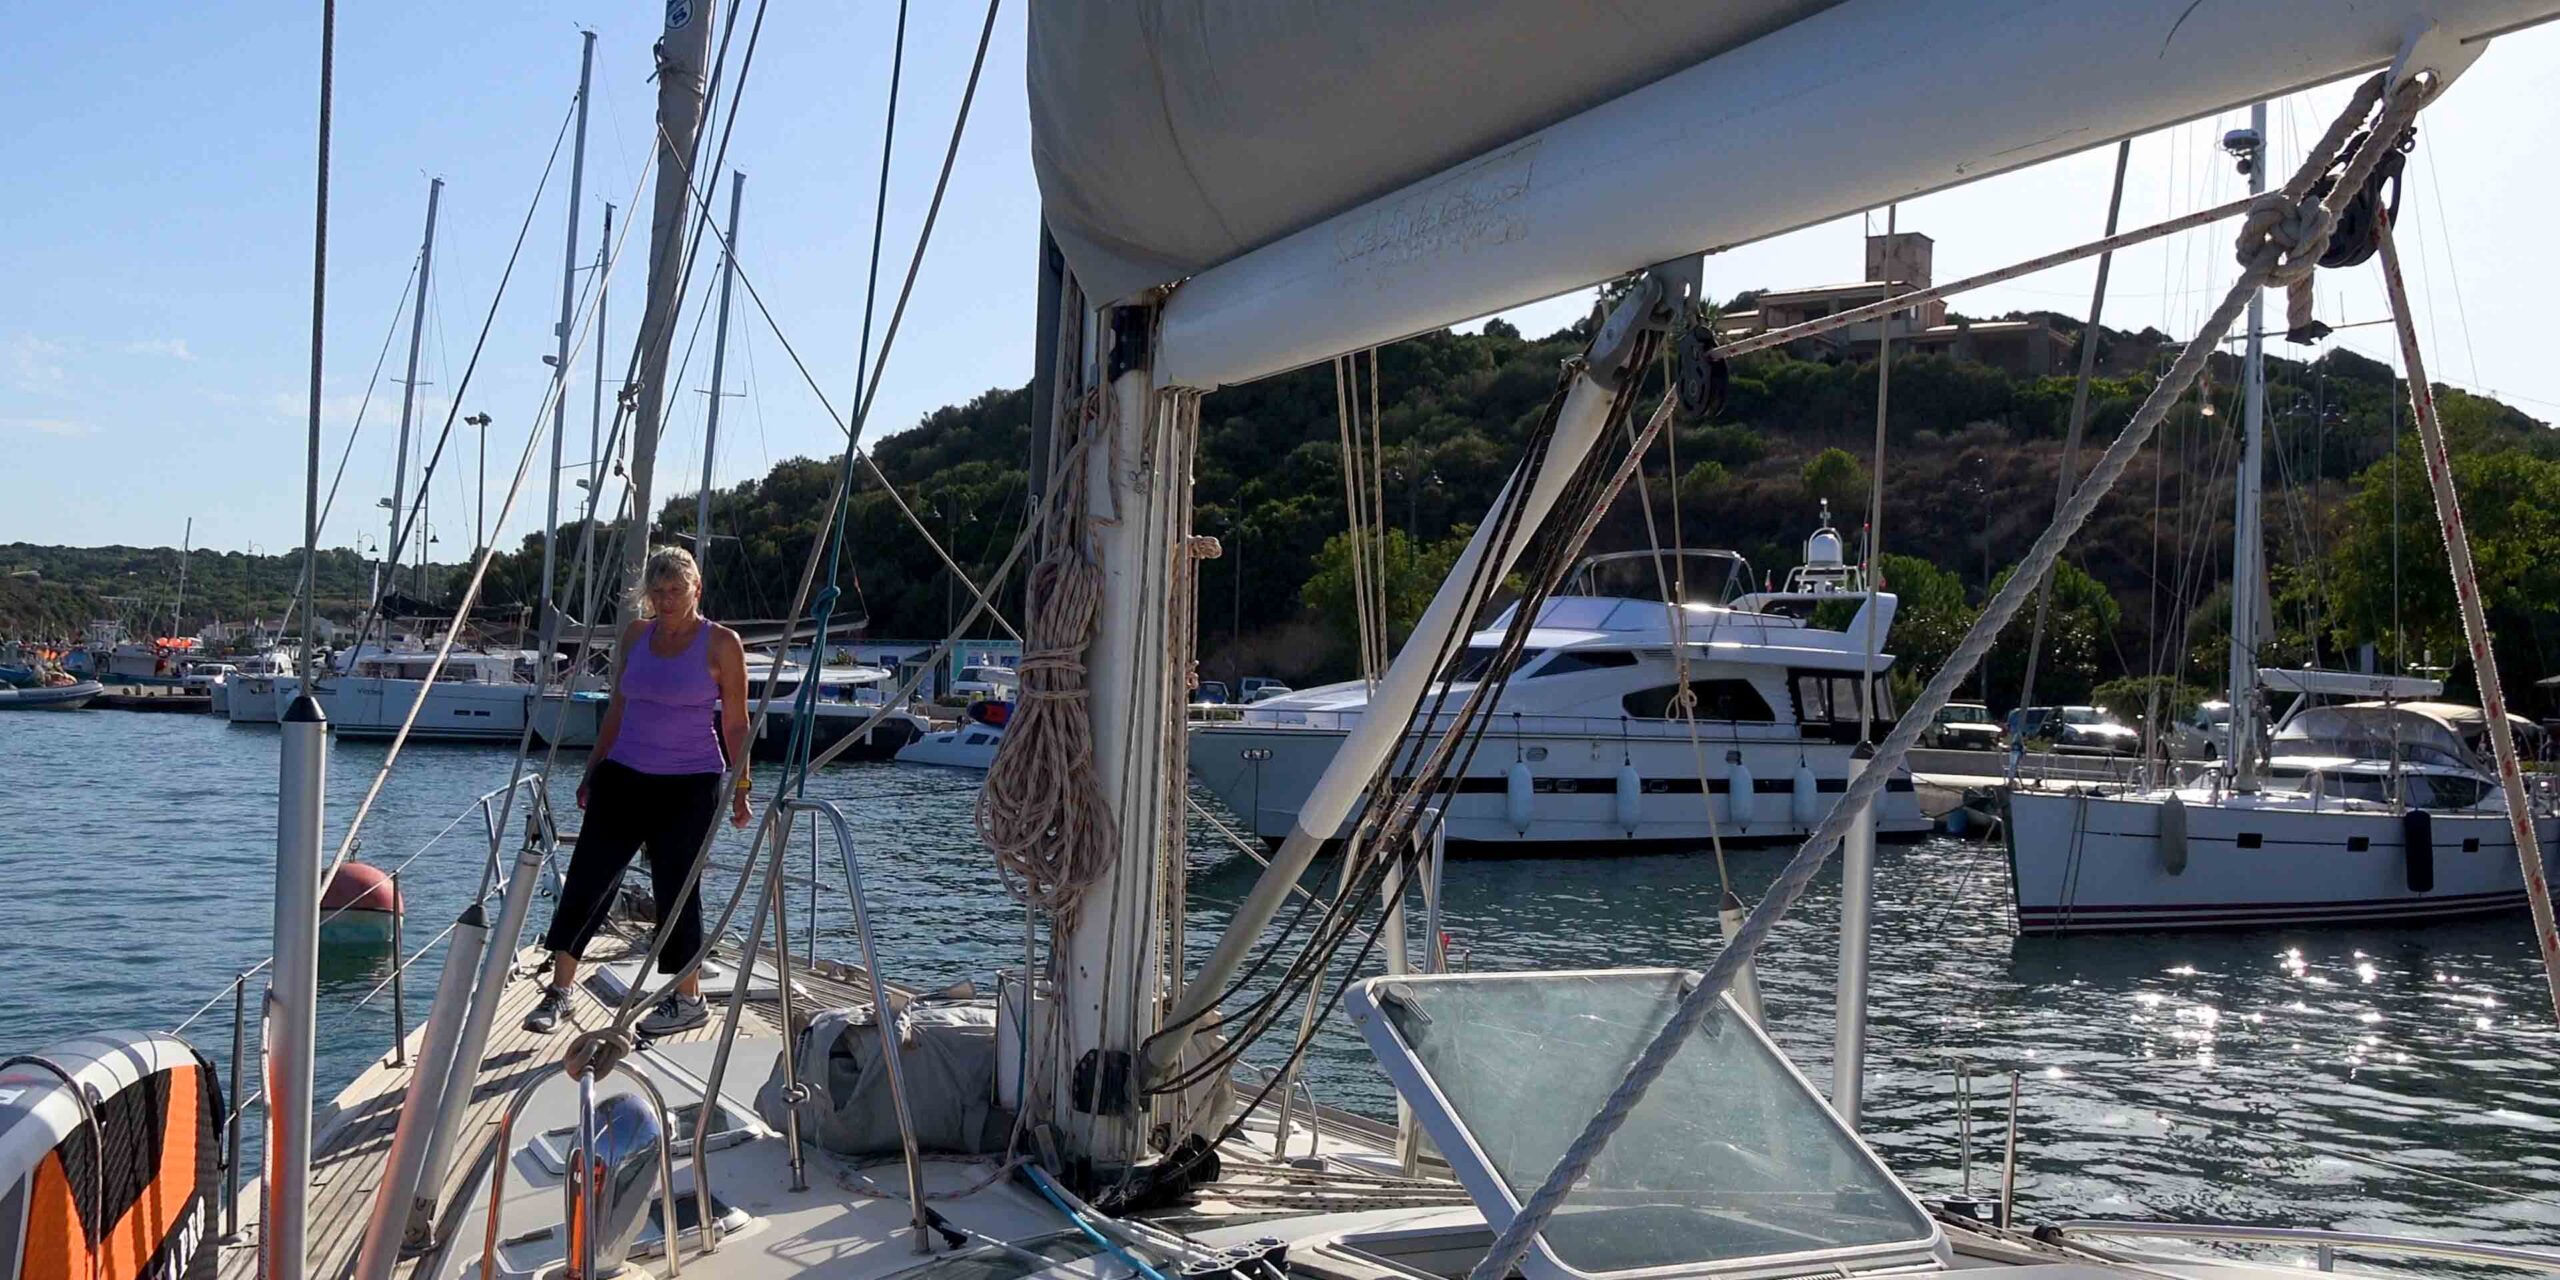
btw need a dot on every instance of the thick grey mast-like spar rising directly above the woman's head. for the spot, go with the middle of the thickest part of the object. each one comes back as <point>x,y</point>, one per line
<point>682,63</point>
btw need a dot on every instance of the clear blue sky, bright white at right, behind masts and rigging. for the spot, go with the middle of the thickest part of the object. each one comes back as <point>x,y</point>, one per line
<point>157,257</point>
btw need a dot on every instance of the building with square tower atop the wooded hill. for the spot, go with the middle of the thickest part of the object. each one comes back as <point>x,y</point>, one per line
<point>1898,265</point>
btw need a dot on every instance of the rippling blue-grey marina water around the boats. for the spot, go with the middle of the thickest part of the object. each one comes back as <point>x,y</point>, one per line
<point>2190,1076</point>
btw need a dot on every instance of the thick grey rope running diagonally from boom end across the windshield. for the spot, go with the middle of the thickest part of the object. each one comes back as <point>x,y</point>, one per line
<point>2275,239</point>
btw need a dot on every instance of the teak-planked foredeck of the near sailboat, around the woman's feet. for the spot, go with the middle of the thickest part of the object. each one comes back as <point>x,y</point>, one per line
<point>355,1133</point>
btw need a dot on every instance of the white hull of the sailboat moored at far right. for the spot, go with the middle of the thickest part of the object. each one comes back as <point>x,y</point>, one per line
<point>2093,864</point>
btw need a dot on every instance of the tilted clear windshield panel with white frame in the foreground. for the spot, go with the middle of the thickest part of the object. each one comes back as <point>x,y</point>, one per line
<point>1727,1158</point>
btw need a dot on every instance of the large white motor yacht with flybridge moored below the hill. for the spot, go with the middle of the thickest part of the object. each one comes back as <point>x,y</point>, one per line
<point>1591,746</point>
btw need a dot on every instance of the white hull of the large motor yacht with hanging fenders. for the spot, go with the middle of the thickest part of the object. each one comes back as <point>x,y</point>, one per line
<point>1266,774</point>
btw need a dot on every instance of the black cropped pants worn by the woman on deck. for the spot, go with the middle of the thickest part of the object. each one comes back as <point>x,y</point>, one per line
<point>626,810</point>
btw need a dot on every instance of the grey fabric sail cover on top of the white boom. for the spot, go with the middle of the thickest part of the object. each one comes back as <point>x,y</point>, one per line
<point>1176,134</point>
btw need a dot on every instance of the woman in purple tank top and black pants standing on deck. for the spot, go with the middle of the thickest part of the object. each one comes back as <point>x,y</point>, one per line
<point>677,718</point>
